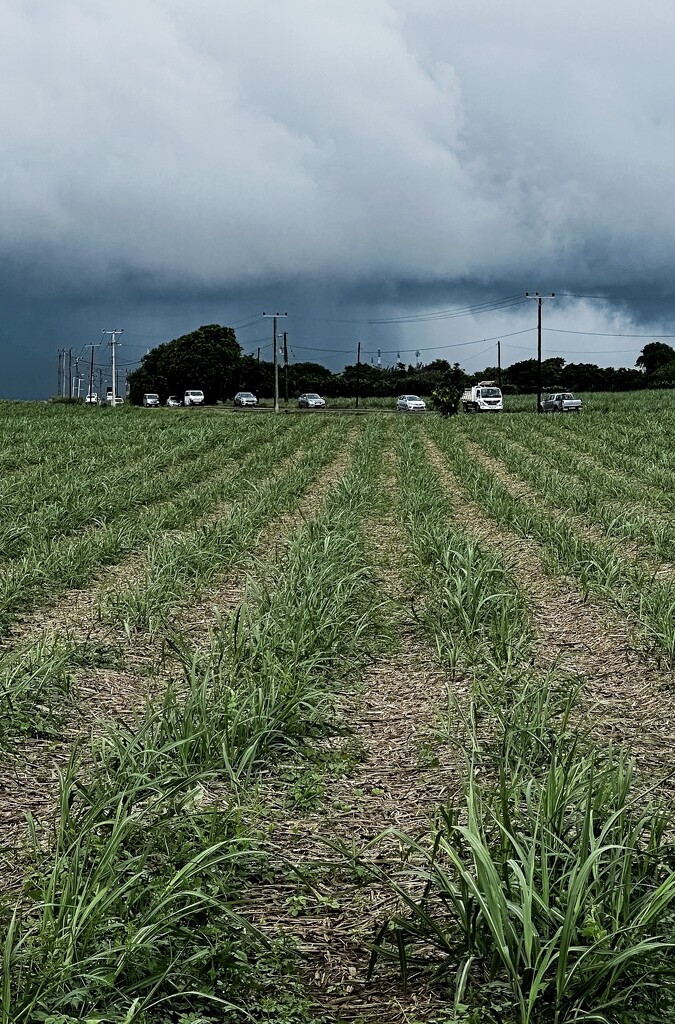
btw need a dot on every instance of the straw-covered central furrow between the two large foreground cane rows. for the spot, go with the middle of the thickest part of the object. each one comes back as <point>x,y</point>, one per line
<point>397,777</point>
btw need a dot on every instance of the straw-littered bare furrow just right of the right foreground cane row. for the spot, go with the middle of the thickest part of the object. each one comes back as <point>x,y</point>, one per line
<point>627,697</point>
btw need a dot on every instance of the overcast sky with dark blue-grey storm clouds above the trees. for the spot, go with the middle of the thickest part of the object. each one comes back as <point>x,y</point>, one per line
<point>168,164</point>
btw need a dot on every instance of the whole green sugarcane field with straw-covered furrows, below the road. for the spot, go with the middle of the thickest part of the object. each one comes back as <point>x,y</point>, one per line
<point>317,719</point>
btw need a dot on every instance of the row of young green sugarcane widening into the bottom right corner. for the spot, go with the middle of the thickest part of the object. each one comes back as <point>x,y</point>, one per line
<point>545,890</point>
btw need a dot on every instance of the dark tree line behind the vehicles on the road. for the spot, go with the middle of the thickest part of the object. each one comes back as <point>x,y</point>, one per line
<point>212,359</point>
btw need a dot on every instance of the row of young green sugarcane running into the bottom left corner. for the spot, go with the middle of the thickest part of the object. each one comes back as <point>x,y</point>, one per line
<point>135,903</point>
